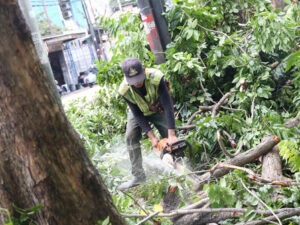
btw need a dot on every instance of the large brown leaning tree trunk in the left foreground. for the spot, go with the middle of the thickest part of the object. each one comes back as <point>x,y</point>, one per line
<point>42,159</point>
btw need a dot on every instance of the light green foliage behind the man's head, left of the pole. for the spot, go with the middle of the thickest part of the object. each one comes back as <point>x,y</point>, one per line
<point>129,40</point>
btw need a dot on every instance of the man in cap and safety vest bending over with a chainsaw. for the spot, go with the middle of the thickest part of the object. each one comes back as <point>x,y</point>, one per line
<point>145,92</point>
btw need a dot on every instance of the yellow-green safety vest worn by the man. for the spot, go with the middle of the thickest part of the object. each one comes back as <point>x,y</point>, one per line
<point>152,80</point>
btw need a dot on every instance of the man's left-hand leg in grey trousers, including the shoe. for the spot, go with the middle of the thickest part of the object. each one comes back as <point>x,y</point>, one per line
<point>133,137</point>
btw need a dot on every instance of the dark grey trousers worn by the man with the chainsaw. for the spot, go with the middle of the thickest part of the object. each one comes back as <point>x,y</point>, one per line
<point>134,135</point>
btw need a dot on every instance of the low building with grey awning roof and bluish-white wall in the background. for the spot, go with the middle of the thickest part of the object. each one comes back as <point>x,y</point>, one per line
<point>70,54</point>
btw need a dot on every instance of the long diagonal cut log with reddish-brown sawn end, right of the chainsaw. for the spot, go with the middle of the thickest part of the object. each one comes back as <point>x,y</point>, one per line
<point>244,158</point>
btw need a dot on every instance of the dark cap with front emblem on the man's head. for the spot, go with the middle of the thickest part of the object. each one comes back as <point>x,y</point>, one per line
<point>133,70</point>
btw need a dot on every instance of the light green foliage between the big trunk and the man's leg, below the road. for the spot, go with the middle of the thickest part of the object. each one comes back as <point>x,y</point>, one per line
<point>97,121</point>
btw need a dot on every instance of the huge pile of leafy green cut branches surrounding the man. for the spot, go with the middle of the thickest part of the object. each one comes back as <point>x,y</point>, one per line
<point>233,68</point>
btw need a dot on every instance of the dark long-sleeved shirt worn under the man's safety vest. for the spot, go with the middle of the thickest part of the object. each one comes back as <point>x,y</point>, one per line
<point>166,102</point>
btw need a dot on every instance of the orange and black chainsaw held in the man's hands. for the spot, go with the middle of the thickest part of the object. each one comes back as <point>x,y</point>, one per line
<point>176,150</point>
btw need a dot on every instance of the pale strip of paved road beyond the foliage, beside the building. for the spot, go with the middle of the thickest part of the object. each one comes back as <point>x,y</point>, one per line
<point>81,93</point>
